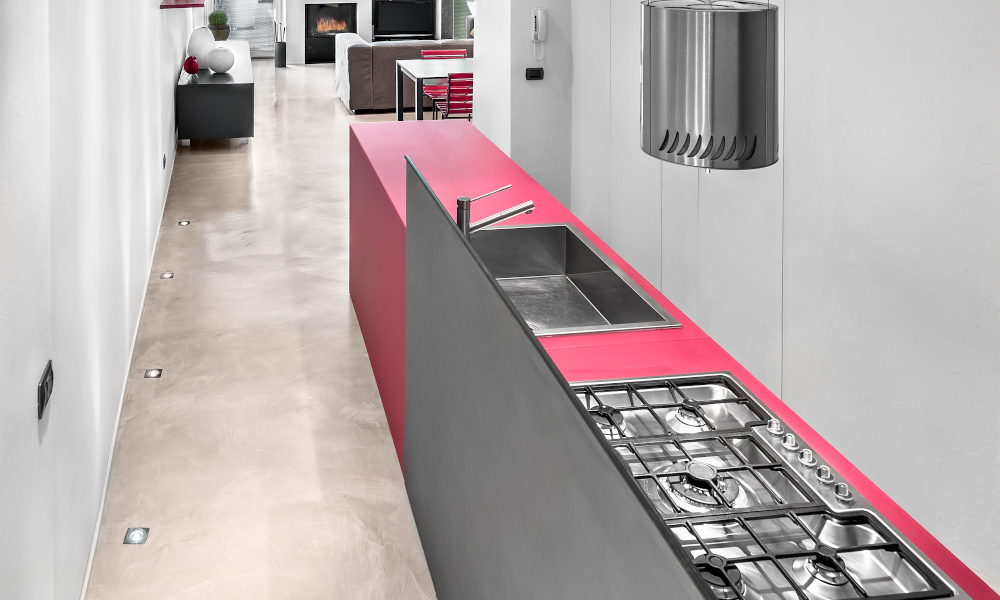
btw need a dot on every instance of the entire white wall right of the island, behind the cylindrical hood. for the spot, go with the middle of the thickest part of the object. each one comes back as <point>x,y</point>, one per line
<point>857,277</point>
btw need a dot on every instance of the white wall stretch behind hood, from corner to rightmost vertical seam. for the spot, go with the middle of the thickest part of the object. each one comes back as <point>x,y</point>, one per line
<point>711,242</point>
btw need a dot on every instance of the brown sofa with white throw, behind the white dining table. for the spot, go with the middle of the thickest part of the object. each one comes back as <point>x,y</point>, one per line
<point>366,71</point>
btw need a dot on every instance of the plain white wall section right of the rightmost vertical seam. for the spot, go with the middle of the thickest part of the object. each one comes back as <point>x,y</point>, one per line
<point>892,258</point>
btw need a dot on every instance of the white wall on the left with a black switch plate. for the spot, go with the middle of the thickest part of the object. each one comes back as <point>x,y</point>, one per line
<point>86,112</point>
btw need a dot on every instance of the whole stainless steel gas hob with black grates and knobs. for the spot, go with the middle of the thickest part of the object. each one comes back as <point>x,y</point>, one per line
<point>760,515</point>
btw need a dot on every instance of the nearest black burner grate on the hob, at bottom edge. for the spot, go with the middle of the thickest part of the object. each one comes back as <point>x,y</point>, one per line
<point>808,554</point>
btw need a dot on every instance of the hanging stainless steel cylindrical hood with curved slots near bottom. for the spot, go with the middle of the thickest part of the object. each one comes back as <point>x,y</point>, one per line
<point>709,83</point>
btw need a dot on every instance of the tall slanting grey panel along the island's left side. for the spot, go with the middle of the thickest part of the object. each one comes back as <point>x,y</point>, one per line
<point>514,494</point>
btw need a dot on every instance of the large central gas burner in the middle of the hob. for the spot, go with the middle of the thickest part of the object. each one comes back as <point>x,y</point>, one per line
<point>690,485</point>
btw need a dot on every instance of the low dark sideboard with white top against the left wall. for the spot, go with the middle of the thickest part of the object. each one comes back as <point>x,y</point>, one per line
<point>217,105</point>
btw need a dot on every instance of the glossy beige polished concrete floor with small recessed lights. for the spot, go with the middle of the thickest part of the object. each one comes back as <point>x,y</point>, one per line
<point>261,460</point>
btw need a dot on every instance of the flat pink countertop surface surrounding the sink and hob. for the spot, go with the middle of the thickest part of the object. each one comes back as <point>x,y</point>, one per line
<point>457,160</point>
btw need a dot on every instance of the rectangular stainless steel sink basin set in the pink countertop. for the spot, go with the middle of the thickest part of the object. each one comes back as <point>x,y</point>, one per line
<point>561,283</point>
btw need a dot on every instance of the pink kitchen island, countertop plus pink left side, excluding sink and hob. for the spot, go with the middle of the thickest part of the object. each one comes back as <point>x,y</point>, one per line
<point>456,160</point>
